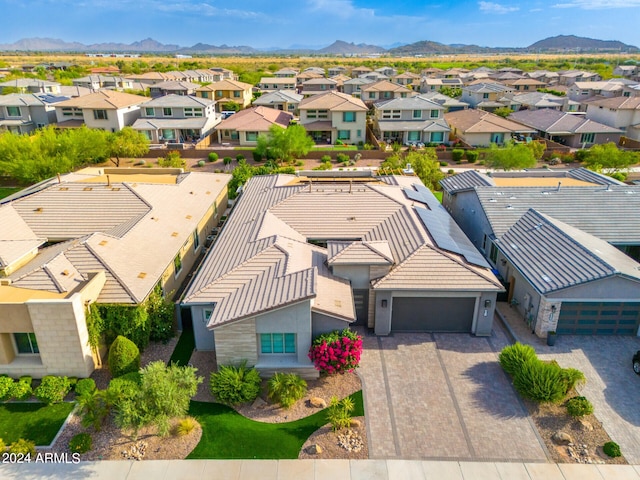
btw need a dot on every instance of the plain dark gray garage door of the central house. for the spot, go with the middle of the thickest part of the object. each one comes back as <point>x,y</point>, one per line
<point>420,314</point>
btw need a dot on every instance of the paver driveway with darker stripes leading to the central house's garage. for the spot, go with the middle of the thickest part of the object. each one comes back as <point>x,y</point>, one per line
<point>444,397</point>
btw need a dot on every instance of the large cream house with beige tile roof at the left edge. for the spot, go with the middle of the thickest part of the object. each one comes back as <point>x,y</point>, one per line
<point>100,235</point>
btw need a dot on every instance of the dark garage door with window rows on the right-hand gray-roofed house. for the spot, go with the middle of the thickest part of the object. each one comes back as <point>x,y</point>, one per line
<point>599,318</point>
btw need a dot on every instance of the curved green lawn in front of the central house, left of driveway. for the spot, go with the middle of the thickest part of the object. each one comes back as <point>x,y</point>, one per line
<point>227,434</point>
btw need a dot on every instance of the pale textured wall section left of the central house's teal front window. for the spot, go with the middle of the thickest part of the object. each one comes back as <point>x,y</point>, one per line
<point>237,342</point>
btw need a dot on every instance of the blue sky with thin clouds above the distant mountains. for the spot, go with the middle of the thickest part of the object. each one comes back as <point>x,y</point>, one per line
<point>283,23</point>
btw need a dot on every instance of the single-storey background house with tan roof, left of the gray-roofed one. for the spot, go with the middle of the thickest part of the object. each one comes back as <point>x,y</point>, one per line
<point>478,128</point>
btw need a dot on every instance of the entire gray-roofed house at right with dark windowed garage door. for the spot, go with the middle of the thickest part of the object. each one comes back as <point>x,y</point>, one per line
<point>547,233</point>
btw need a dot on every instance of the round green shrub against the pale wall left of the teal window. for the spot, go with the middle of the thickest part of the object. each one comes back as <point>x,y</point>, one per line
<point>233,385</point>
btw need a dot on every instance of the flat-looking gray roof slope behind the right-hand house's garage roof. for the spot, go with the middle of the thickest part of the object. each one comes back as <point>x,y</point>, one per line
<point>609,213</point>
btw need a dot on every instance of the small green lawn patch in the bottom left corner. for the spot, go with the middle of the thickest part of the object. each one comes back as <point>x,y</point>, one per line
<point>32,421</point>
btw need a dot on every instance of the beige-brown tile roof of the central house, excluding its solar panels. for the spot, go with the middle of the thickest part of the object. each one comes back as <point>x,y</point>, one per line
<point>263,247</point>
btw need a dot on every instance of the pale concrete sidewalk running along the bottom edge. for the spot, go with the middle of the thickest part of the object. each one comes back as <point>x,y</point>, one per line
<point>314,470</point>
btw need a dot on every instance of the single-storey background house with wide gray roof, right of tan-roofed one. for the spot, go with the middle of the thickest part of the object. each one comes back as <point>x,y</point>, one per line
<point>574,131</point>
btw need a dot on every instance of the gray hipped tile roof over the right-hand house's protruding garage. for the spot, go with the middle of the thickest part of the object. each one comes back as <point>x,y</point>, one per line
<point>553,255</point>
